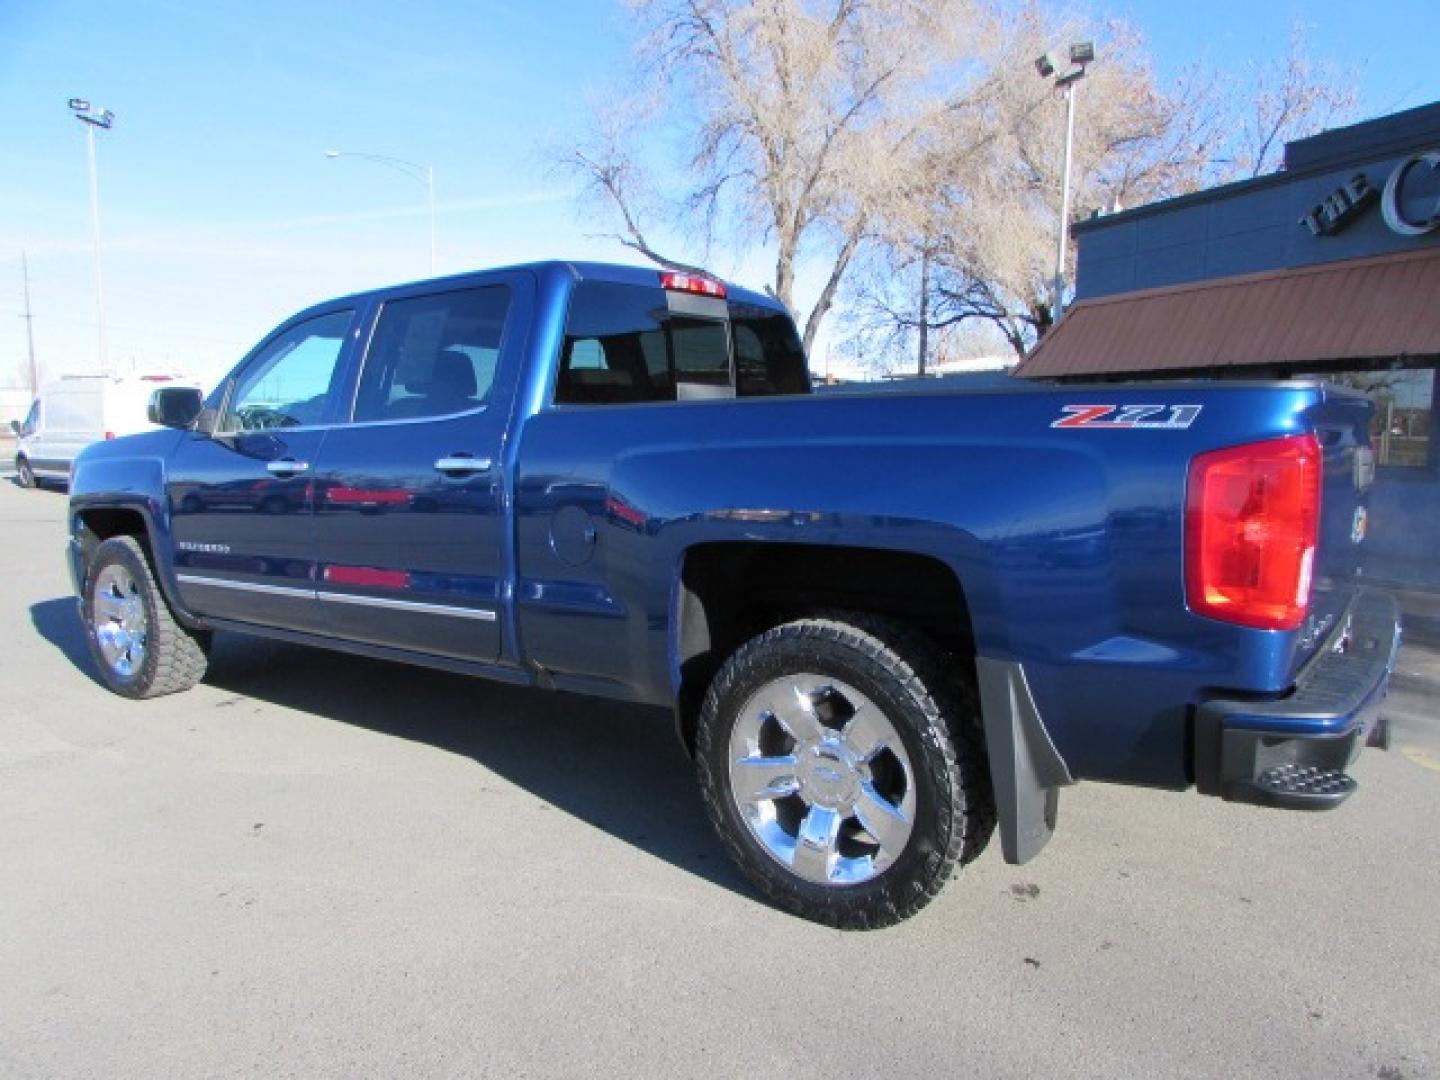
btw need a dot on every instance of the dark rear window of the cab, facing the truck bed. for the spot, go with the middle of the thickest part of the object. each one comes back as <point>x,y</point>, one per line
<point>624,345</point>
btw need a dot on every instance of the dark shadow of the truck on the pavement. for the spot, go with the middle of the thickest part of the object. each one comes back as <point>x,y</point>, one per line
<point>617,768</point>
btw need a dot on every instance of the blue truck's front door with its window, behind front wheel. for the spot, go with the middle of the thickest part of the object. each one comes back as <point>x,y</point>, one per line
<point>241,500</point>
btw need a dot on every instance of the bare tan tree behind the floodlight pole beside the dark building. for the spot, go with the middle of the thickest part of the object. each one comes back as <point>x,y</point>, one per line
<point>990,231</point>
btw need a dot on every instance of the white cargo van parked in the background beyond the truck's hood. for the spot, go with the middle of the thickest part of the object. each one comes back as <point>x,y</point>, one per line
<point>78,410</point>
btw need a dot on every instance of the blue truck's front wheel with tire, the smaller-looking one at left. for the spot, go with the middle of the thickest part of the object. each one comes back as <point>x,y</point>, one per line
<point>136,642</point>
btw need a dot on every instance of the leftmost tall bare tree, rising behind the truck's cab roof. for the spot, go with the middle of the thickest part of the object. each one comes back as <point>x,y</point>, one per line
<point>803,120</point>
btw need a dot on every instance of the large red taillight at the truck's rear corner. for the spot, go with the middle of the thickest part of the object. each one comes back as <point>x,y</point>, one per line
<point>1252,516</point>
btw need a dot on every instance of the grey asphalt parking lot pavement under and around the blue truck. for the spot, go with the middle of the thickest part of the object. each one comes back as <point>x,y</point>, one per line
<point>316,865</point>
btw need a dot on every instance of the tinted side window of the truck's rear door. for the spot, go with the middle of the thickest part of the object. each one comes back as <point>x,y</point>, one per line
<point>433,356</point>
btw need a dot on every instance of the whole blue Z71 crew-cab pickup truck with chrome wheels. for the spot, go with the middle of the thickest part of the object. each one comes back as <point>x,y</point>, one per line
<point>883,623</point>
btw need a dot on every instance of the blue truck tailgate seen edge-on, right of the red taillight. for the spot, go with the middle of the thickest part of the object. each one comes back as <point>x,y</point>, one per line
<point>1343,426</point>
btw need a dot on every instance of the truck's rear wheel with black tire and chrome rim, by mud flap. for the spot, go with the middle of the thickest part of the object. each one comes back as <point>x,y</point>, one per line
<point>843,767</point>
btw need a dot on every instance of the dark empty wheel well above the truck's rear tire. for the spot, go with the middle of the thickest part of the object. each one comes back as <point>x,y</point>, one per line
<point>731,593</point>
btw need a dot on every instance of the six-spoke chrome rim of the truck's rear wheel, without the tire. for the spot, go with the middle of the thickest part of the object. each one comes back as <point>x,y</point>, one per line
<point>822,780</point>
